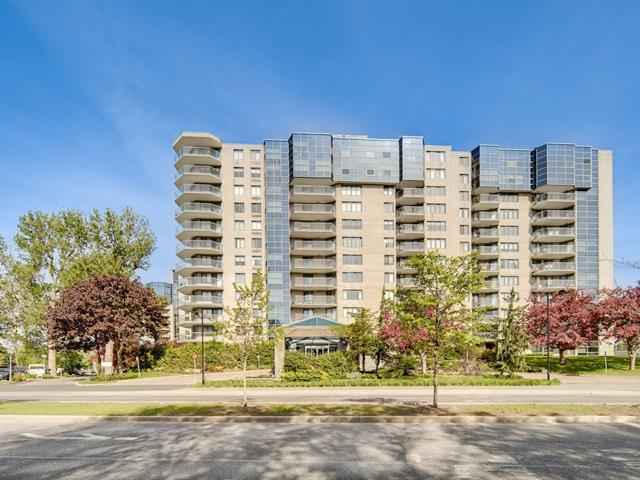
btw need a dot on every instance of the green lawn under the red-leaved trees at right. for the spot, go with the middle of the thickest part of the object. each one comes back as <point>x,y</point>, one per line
<point>583,365</point>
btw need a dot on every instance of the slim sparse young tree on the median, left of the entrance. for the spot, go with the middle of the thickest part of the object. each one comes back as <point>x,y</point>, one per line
<point>247,322</point>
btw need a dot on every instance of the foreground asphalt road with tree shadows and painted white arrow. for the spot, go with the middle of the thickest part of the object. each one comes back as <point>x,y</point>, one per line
<point>53,448</point>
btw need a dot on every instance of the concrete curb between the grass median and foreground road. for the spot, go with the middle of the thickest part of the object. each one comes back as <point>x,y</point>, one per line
<point>319,419</point>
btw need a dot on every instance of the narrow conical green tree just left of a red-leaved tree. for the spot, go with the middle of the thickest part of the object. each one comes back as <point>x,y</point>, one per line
<point>512,338</point>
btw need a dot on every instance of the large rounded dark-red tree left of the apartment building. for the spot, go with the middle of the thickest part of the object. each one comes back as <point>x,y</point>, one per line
<point>105,309</point>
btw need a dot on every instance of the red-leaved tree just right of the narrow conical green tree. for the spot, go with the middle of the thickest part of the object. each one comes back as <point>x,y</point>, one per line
<point>572,322</point>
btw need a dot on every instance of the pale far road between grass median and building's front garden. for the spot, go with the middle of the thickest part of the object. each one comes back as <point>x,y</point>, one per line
<point>584,389</point>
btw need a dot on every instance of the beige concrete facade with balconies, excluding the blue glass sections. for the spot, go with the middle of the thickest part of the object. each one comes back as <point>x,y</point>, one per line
<point>349,240</point>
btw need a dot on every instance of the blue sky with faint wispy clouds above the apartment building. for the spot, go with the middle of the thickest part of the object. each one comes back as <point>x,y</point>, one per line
<point>93,93</point>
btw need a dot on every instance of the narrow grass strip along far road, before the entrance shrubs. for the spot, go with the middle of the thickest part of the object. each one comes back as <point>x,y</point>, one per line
<point>445,380</point>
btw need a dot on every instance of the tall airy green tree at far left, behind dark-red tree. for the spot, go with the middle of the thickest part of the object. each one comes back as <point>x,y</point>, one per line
<point>49,244</point>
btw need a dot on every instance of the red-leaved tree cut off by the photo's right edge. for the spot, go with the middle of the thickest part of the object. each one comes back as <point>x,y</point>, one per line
<point>619,314</point>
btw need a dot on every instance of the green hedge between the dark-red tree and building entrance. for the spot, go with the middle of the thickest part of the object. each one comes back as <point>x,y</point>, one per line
<point>218,356</point>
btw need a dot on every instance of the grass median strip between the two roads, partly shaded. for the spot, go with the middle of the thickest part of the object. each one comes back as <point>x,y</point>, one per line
<point>229,409</point>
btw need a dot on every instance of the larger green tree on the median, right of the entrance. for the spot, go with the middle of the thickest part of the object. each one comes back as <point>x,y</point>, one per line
<point>438,302</point>
